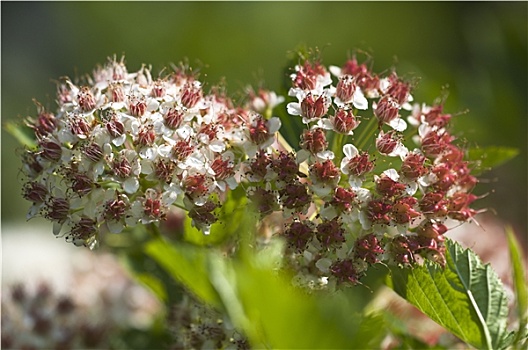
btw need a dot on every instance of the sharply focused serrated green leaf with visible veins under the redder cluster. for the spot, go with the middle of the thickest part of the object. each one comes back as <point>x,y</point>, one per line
<point>466,296</point>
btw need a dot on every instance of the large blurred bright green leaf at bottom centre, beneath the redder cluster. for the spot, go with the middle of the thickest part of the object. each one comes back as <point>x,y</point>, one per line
<point>276,315</point>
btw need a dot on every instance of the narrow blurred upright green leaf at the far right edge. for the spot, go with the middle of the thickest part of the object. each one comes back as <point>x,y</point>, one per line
<point>519,282</point>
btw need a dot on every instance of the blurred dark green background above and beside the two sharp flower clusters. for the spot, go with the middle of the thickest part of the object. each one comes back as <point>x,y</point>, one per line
<point>479,49</point>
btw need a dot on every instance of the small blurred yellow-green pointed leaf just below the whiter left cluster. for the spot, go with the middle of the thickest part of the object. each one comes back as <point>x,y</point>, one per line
<point>187,264</point>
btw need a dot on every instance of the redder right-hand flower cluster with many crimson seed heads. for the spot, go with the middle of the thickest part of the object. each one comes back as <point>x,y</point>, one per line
<point>380,187</point>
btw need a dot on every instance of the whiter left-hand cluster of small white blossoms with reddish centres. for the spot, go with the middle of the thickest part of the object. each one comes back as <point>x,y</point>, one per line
<point>122,148</point>
